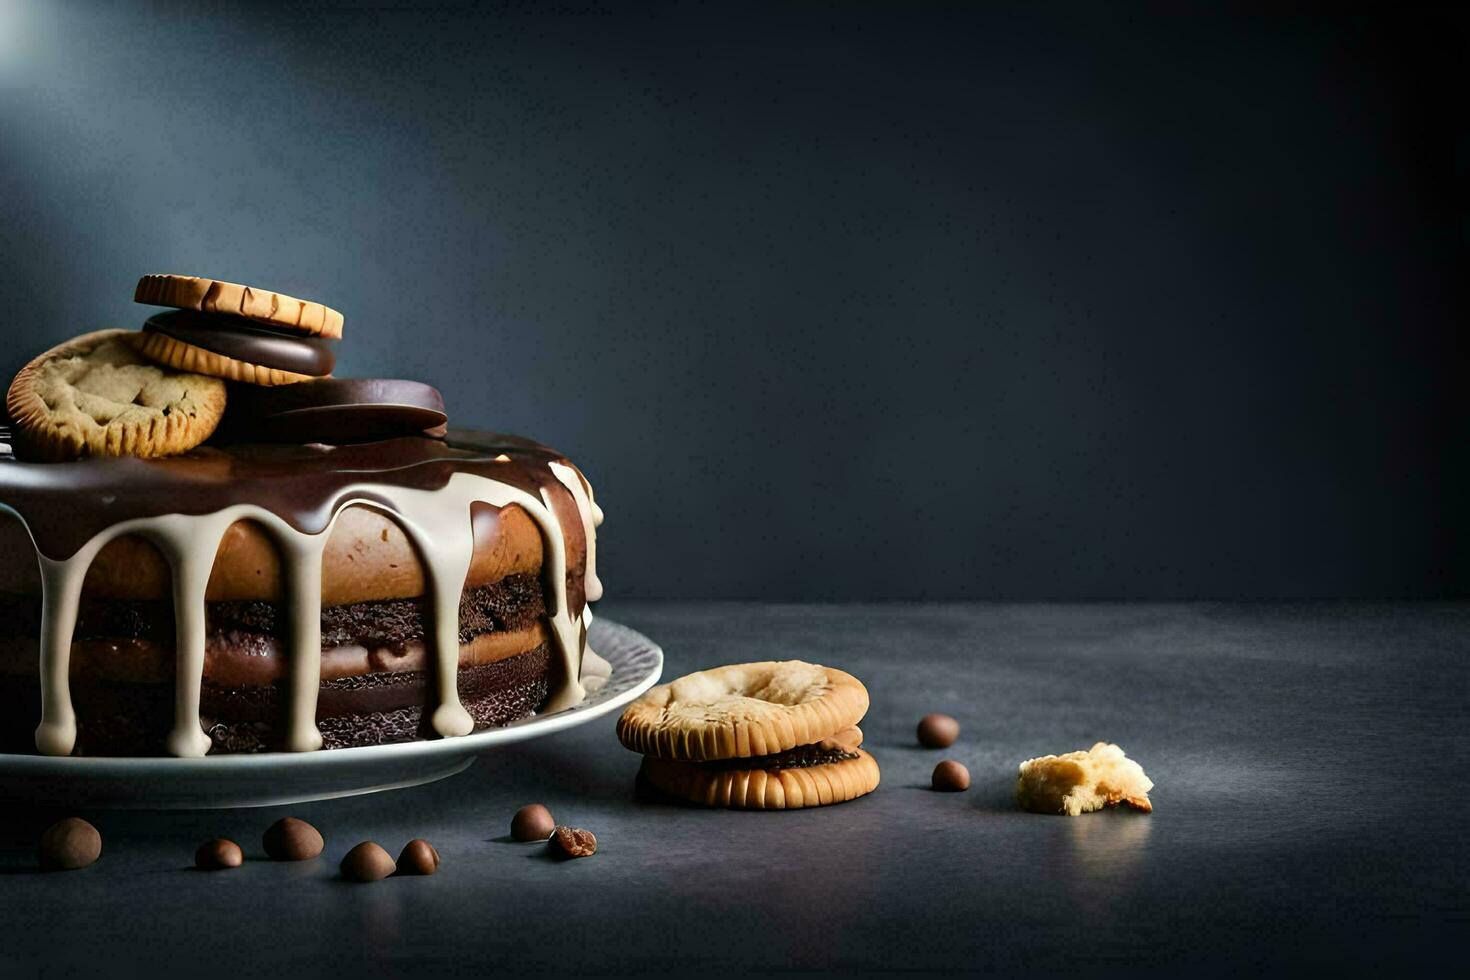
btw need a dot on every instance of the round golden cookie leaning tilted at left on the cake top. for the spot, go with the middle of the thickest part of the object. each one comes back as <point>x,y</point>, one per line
<point>98,396</point>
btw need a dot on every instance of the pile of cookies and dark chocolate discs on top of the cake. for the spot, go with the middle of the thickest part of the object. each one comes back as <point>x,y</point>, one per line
<point>165,389</point>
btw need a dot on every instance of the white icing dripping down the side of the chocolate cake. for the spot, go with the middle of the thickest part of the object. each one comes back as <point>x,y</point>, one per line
<point>439,524</point>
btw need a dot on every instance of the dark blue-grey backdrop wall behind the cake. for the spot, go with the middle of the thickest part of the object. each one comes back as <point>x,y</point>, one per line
<point>830,302</point>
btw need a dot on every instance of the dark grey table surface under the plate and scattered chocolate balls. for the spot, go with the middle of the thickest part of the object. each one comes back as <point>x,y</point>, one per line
<point>1311,765</point>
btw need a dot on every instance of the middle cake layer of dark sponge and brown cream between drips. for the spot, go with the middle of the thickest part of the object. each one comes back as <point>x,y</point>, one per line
<point>133,641</point>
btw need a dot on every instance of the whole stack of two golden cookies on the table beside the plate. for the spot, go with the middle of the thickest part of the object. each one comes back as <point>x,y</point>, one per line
<point>774,735</point>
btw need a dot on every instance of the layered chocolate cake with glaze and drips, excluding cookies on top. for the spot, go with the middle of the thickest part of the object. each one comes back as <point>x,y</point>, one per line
<point>177,603</point>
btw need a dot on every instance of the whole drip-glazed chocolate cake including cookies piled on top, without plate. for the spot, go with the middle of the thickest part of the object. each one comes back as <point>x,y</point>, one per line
<point>209,544</point>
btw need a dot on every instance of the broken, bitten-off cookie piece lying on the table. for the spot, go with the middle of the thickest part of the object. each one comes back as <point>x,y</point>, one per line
<point>1080,782</point>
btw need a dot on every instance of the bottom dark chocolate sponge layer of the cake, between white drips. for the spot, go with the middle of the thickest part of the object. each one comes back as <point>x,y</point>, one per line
<point>365,710</point>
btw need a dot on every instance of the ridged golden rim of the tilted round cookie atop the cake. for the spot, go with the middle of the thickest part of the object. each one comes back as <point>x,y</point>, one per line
<point>40,437</point>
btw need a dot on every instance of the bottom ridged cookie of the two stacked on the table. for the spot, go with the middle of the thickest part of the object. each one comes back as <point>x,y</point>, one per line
<point>765,790</point>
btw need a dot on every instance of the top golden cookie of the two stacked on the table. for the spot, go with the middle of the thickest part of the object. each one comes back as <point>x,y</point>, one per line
<point>743,710</point>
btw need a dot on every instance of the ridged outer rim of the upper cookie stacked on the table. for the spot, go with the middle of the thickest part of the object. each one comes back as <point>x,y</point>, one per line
<point>645,729</point>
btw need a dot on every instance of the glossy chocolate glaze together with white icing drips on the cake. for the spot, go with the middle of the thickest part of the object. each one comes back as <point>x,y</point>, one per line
<point>184,505</point>
